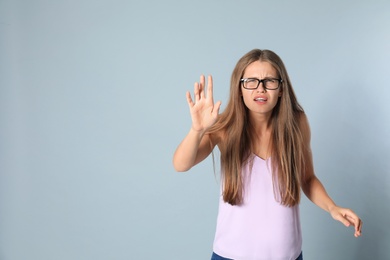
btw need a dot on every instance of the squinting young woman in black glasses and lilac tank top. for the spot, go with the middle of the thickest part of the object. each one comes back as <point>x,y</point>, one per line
<point>264,140</point>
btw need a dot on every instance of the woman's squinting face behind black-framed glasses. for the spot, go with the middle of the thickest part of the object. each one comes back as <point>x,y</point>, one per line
<point>260,101</point>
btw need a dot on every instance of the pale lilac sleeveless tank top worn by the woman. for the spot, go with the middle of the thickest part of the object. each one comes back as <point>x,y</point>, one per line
<point>260,228</point>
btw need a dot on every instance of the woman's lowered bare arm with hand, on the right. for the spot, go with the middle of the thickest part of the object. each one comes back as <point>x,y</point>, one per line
<point>315,191</point>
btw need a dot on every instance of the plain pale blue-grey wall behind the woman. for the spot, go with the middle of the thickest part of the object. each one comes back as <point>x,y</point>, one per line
<point>92,107</point>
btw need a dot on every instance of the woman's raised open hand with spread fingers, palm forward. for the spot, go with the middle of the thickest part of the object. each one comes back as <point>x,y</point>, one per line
<point>204,112</point>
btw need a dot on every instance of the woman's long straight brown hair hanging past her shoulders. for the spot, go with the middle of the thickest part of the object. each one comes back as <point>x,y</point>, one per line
<point>287,159</point>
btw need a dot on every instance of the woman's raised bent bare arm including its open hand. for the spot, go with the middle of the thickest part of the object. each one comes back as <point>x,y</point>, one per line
<point>197,145</point>
